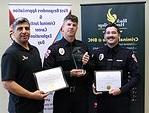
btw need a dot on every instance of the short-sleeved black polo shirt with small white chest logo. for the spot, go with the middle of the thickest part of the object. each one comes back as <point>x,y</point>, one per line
<point>19,64</point>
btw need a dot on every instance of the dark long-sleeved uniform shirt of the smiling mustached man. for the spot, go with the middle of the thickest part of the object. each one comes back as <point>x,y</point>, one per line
<point>118,58</point>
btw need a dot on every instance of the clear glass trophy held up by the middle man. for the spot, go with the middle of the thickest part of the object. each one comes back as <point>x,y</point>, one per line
<point>77,54</point>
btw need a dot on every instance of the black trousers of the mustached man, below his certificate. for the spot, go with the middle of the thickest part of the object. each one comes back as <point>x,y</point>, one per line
<point>113,104</point>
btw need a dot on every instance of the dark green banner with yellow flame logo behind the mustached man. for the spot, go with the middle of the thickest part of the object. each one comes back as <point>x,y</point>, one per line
<point>130,17</point>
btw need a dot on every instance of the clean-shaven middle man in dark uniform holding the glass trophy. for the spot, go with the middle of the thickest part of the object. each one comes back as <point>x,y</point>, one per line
<point>75,98</point>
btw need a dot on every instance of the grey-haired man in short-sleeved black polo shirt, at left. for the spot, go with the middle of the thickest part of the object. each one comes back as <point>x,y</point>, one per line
<point>19,62</point>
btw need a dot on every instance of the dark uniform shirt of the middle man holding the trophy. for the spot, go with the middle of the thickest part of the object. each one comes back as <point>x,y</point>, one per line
<point>61,54</point>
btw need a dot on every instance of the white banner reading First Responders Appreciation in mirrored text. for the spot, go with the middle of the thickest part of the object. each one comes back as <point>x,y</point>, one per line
<point>46,21</point>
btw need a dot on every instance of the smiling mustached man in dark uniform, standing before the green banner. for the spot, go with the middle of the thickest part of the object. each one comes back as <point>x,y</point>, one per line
<point>113,57</point>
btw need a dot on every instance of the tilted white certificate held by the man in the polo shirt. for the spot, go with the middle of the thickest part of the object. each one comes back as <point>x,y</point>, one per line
<point>50,80</point>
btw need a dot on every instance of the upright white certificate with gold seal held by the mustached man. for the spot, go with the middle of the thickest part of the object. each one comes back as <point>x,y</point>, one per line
<point>105,80</point>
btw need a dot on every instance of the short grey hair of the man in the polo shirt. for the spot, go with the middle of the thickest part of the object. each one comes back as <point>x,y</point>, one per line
<point>20,20</point>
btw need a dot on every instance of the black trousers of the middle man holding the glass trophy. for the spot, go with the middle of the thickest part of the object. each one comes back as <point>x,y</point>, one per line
<point>71,101</point>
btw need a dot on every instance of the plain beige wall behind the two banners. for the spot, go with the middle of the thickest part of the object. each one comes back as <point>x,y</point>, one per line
<point>5,41</point>
